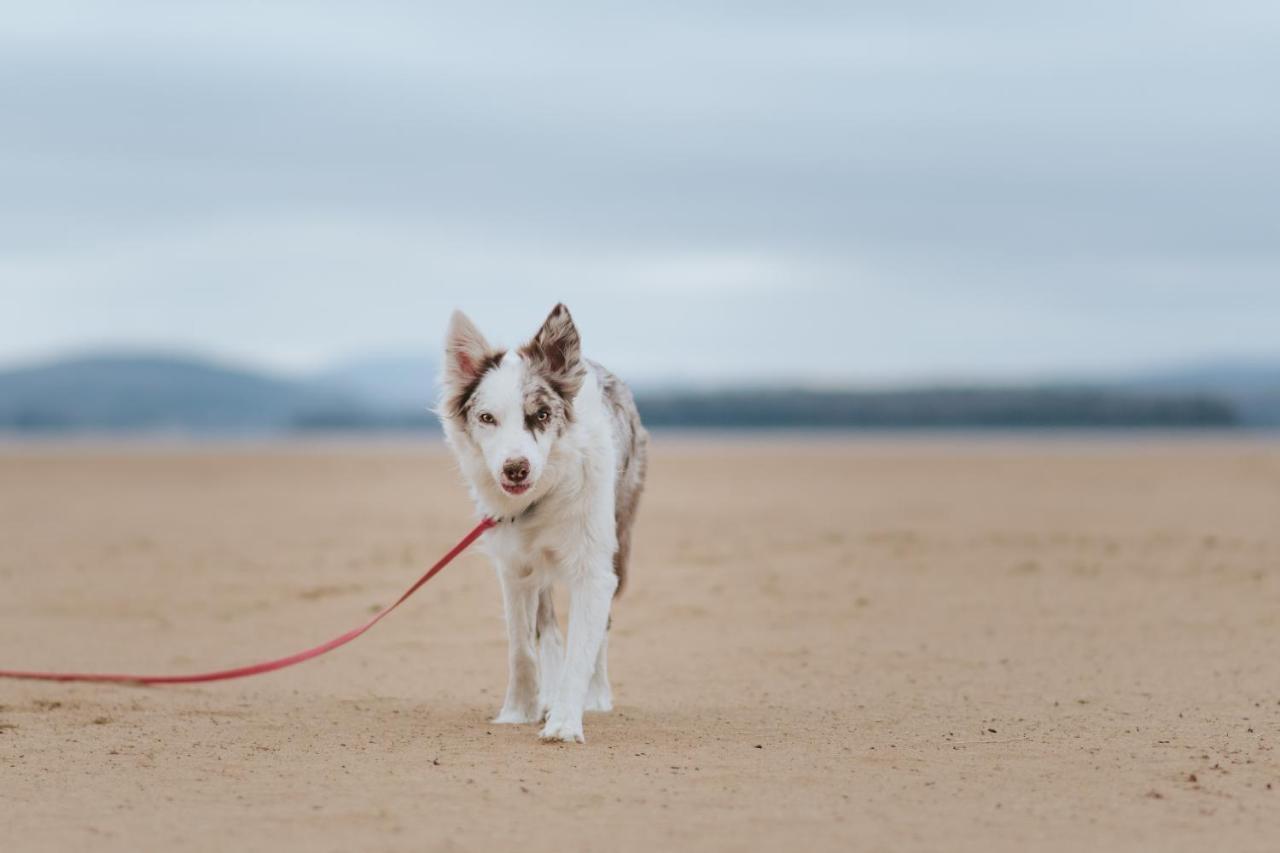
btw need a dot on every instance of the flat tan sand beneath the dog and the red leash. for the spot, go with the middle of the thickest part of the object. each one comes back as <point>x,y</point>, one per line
<point>835,645</point>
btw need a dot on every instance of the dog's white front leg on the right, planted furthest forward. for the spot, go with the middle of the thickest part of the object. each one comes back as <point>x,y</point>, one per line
<point>591,597</point>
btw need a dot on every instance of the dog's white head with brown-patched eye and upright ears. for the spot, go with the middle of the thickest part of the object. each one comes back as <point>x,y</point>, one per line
<point>508,410</point>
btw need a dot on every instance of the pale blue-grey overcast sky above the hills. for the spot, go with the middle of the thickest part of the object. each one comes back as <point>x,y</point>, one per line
<point>826,191</point>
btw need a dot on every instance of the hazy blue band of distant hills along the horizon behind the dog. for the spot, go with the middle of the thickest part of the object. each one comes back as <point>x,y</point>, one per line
<point>149,393</point>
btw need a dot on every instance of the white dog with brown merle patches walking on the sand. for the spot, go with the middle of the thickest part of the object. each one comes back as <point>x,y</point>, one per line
<point>552,448</point>
